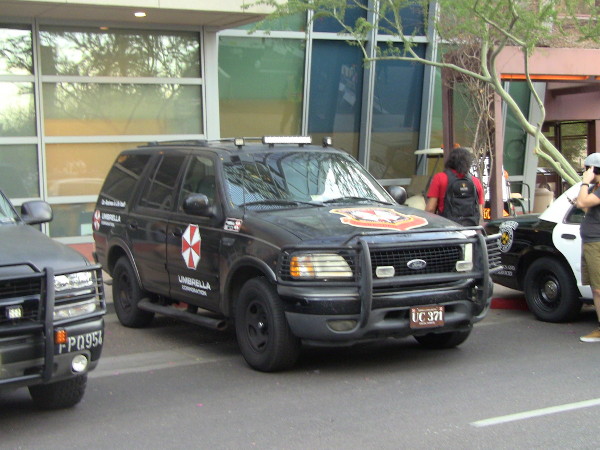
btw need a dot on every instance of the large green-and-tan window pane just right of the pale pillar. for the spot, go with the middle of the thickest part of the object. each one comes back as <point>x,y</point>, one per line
<point>260,86</point>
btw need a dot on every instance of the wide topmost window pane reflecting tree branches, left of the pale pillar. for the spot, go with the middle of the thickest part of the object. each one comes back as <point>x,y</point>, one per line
<point>119,53</point>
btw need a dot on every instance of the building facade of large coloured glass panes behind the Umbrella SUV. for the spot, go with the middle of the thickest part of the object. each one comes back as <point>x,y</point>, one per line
<point>82,80</point>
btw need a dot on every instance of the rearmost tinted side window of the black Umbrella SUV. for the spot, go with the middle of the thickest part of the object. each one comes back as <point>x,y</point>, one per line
<point>123,177</point>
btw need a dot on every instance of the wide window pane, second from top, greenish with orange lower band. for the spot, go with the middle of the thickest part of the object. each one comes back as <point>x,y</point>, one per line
<point>78,109</point>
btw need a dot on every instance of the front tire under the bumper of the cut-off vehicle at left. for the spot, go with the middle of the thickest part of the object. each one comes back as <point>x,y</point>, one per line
<point>61,394</point>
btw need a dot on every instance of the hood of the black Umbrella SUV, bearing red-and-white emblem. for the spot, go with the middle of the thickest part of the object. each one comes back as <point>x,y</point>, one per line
<point>326,223</point>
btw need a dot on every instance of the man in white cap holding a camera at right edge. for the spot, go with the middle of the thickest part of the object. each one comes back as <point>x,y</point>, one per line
<point>589,200</point>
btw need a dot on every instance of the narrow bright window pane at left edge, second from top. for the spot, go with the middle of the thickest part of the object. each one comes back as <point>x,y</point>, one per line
<point>17,109</point>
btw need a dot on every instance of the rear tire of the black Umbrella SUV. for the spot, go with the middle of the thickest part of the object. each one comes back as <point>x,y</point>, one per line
<point>127,294</point>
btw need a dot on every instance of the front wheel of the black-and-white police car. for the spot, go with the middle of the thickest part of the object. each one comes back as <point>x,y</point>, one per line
<point>550,291</point>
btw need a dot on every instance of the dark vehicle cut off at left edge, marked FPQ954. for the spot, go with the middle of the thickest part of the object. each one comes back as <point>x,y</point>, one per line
<point>51,308</point>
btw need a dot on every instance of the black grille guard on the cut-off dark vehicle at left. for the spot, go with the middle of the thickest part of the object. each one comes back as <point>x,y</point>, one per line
<point>37,288</point>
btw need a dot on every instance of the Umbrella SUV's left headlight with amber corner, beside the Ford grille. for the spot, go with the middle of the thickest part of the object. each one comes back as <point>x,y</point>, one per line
<point>319,265</point>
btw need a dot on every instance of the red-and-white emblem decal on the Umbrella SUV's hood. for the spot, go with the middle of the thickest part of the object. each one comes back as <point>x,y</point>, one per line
<point>381,218</point>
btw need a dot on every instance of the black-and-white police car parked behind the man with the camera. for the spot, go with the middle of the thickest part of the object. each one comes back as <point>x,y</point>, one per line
<point>541,254</point>
